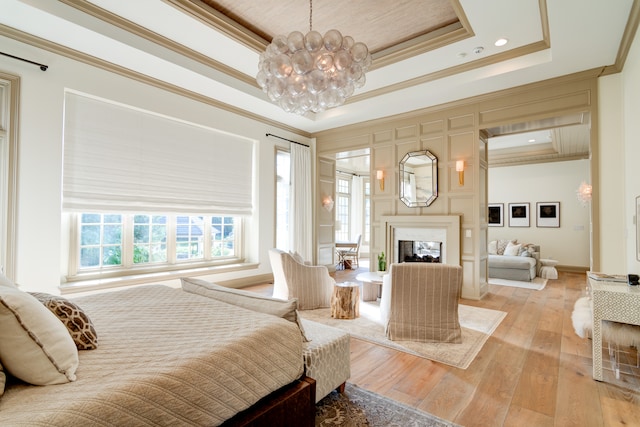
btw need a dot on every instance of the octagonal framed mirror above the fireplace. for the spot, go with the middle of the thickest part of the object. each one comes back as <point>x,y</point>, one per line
<point>418,178</point>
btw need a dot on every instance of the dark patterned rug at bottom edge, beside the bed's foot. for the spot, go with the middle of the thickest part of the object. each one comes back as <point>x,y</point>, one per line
<point>357,407</point>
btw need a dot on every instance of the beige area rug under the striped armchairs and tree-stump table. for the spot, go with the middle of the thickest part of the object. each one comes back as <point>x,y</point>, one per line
<point>477,325</point>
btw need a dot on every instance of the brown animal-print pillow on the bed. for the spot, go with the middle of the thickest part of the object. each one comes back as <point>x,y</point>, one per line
<point>73,318</point>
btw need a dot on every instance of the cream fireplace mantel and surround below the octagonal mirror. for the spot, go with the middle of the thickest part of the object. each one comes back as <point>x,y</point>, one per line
<point>445,228</point>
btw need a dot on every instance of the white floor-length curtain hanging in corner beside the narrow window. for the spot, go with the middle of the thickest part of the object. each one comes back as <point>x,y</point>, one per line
<point>301,213</point>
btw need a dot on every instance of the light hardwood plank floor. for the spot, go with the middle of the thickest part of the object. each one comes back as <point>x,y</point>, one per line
<point>533,371</point>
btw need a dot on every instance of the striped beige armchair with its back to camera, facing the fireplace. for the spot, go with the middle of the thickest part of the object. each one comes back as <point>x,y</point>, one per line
<point>419,302</point>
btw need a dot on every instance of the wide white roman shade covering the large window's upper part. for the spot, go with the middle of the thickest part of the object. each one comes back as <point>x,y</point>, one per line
<point>121,159</point>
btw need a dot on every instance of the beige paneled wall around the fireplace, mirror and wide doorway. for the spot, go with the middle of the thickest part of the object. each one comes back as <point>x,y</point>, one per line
<point>454,132</point>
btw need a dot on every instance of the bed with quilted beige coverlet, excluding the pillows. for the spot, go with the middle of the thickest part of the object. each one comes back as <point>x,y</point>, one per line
<point>166,357</point>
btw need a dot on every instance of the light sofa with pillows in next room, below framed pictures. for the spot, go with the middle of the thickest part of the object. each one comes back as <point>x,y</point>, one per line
<point>511,260</point>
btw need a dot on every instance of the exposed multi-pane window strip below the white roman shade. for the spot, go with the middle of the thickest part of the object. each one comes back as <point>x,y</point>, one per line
<point>121,243</point>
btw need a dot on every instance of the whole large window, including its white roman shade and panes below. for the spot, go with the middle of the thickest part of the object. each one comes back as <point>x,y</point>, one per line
<point>129,168</point>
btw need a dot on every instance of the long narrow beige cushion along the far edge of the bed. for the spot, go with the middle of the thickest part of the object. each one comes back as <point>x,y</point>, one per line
<point>282,308</point>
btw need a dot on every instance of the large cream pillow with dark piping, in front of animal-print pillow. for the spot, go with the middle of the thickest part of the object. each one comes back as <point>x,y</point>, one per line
<point>34,345</point>
